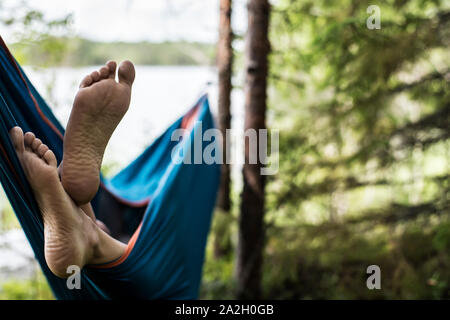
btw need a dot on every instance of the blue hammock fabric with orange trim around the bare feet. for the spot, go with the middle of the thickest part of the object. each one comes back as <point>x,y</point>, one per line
<point>162,207</point>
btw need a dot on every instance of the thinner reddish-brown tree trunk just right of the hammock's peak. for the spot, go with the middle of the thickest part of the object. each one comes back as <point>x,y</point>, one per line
<point>222,243</point>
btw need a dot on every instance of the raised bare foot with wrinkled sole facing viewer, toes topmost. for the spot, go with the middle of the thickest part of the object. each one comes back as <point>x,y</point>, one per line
<point>98,108</point>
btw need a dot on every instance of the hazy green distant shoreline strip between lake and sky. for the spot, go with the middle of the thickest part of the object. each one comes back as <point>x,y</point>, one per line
<point>79,52</point>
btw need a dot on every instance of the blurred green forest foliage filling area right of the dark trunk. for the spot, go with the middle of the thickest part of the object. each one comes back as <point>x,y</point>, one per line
<point>359,181</point>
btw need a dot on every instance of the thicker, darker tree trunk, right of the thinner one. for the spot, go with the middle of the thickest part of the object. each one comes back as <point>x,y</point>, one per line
<point>251,219</point>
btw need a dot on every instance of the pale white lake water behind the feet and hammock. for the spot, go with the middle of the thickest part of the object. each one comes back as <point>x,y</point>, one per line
<point>161,94</point>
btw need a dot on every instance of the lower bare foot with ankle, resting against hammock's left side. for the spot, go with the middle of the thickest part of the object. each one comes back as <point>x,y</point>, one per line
<point>71,237</point>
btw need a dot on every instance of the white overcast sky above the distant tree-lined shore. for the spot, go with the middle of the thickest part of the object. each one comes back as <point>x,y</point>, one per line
<point>134,20</point>
